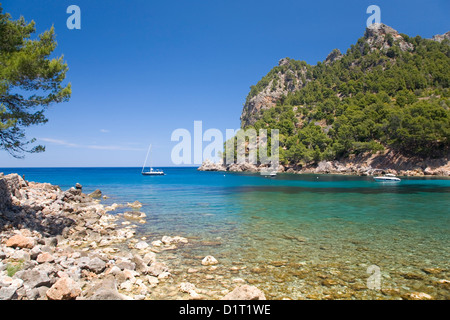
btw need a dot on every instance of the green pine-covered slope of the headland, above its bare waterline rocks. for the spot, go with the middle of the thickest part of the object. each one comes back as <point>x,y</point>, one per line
<point>388,90</point>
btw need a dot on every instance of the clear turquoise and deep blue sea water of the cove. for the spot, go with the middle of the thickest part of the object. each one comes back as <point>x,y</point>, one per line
<point>288,234</point>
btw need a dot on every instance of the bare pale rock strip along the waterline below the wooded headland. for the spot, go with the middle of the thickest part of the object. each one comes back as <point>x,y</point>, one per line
<point>364,165</point>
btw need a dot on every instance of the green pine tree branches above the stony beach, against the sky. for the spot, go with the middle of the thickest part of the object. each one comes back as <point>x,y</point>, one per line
<point>30,81</point>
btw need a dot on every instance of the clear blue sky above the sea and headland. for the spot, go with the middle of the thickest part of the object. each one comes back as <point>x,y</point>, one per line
<point>141,69</point>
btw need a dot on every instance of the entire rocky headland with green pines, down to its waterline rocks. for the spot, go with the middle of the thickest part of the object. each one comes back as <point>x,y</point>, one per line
<point>321,133</point>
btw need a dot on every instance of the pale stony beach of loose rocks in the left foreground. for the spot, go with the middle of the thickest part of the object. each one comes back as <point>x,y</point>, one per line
<point>63,245</point>
